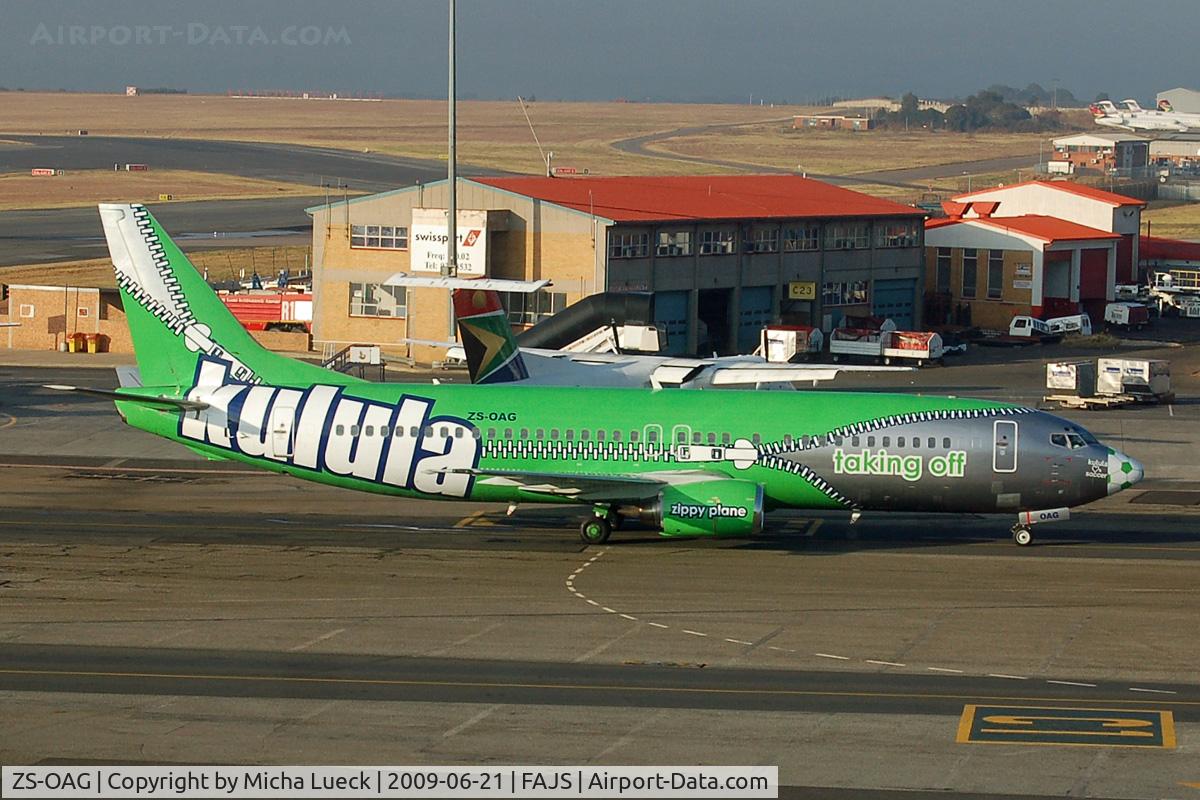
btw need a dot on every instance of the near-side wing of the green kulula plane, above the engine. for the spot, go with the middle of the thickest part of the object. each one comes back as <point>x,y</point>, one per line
<point>581,486</point>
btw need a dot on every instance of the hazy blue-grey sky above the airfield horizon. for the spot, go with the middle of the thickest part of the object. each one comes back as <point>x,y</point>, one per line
<point>602,50</point>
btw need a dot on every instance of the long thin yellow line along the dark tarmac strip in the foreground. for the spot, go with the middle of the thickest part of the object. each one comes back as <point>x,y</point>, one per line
<point>602,688</point>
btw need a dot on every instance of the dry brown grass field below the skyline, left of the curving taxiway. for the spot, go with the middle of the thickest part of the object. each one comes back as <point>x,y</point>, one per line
<point>490,134</point>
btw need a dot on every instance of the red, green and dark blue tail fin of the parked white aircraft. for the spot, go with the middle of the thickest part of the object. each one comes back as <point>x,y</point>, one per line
<point>493,353</point>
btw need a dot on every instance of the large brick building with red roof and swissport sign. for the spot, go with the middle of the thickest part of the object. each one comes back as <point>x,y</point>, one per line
<point>723,255</point>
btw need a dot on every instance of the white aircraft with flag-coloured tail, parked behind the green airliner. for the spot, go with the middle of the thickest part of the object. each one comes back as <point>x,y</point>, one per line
<point>493,356</point>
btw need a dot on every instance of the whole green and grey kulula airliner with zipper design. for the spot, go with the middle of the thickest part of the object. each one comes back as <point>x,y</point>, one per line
<point>688,464</point>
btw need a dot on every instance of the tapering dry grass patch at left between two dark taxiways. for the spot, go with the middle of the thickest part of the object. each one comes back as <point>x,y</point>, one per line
<point>92,187</point>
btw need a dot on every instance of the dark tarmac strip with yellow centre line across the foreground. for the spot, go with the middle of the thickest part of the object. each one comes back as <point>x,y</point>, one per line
<point>223,673</point>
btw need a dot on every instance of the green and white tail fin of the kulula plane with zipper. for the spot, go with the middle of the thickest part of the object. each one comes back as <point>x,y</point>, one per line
<point>176,320</point>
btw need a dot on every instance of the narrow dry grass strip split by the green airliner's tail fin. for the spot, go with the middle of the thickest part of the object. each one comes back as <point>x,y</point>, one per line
<point>220,264</point>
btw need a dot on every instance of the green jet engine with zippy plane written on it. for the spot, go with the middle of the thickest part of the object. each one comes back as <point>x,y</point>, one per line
<point>718,508</point>
